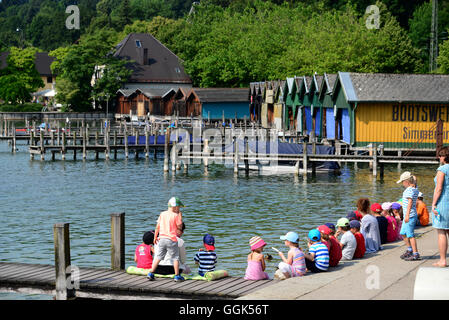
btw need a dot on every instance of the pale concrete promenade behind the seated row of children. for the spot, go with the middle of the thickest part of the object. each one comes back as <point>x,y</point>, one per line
<point>380,276</point>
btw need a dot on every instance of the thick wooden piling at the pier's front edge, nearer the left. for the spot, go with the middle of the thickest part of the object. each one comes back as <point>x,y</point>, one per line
<point>62,262</point>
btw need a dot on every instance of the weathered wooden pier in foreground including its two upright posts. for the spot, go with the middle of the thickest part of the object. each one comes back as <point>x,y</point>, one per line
<point>67,281</point>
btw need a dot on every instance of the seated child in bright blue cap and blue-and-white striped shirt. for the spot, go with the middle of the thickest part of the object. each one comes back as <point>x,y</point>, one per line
<point>317,259</point>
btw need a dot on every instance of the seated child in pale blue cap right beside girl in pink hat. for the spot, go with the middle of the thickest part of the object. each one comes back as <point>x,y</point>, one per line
<point>294,265</point>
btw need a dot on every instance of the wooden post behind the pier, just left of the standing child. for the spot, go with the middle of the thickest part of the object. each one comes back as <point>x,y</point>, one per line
<point>118,241</point>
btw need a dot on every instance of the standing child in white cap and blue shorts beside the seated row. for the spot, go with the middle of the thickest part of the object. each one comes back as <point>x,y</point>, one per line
<point>407,231</point>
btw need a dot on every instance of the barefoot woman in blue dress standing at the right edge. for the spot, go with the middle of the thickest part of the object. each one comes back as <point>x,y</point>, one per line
<point>440,205</point>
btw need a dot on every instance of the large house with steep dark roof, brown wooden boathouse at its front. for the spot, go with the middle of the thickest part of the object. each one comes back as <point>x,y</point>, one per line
<point>157,74</point>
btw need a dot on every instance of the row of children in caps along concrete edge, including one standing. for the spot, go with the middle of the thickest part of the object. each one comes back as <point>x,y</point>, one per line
<point>361,231</point>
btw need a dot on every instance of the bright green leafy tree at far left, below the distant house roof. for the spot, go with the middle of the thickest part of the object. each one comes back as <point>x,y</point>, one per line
<point>20,78</point>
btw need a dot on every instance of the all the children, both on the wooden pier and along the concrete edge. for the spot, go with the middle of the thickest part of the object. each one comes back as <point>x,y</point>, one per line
<point>361,232</point>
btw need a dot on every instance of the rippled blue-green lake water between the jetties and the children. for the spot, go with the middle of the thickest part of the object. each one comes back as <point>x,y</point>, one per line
<point>36,194</point>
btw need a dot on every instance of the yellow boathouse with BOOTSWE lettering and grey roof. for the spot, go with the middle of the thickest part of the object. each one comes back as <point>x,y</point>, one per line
<point>398,111</point>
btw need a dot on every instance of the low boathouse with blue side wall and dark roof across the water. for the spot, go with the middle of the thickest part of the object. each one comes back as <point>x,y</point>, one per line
<point>219,103</point>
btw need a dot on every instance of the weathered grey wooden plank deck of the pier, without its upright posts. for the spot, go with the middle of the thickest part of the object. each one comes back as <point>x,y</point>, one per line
<point>98,282</point>
